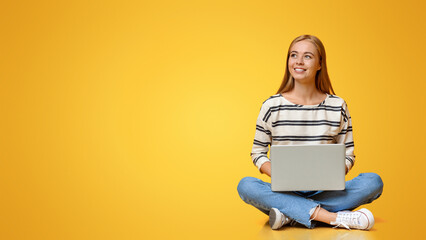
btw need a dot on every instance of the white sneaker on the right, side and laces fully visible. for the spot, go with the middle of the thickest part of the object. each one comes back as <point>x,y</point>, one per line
<point>362,219</point>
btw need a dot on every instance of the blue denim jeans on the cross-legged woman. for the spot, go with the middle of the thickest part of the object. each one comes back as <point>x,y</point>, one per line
<point>300,205</point>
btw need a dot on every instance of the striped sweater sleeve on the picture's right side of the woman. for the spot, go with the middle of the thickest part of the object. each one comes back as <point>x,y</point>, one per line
<point>345,136</point>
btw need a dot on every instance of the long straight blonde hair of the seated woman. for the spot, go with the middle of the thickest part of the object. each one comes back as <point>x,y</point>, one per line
<point>322,80</point>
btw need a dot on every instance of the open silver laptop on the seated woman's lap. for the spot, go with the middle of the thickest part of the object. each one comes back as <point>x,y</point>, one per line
<point>307,167</point>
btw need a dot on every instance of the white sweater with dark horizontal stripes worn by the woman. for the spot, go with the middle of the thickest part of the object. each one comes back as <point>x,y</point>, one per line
<point>281,122</point>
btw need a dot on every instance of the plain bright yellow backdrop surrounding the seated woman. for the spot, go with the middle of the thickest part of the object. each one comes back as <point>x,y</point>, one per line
<point>135,119</point>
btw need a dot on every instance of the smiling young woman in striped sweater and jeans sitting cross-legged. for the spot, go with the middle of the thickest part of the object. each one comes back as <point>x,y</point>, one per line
<point>306,110</point>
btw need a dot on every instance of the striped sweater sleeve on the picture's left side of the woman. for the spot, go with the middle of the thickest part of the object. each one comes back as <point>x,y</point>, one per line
<point>262,138</point>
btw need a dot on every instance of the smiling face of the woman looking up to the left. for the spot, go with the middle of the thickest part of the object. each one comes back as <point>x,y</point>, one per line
<point>303,61</point>
